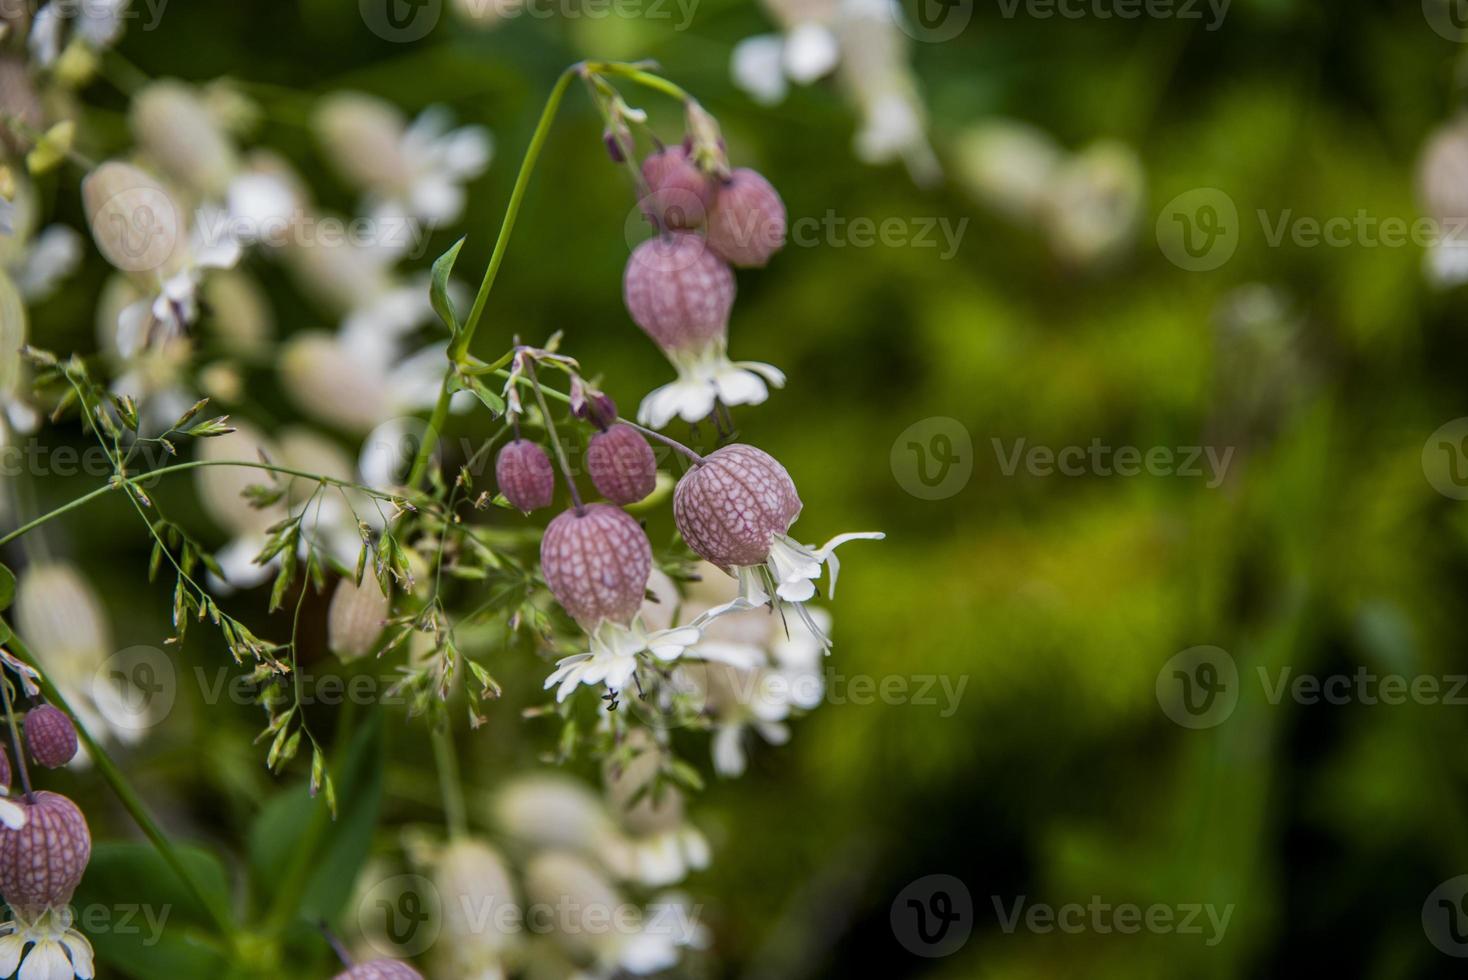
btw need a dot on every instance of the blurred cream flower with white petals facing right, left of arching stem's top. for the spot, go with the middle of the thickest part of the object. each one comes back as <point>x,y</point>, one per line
<point>413,169</point>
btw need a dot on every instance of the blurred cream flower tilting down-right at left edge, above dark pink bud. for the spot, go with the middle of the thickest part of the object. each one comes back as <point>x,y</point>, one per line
<point>61,617</point>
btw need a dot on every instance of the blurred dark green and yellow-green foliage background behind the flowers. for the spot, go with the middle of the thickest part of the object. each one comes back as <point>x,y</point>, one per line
<point>1056,601</point>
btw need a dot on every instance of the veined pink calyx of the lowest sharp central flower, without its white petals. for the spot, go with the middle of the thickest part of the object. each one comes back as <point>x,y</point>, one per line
<point>597,564</point>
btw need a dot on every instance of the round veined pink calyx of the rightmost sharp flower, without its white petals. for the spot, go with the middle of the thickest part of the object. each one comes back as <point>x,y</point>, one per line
<point>730,508</point>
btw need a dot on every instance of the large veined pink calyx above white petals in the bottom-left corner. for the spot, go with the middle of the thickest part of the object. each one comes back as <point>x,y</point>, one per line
<point>43,862</point>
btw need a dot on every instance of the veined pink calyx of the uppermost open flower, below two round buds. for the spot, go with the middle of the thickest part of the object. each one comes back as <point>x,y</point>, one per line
<point>679,291</point>
